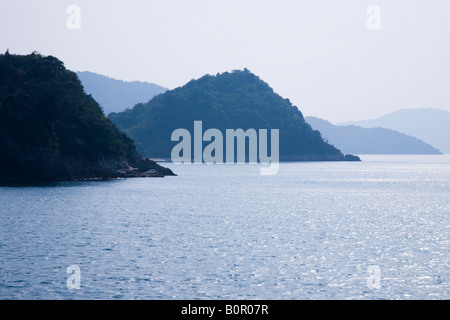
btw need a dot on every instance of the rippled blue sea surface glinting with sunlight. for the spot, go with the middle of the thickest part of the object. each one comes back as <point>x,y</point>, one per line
<point>313,231</point>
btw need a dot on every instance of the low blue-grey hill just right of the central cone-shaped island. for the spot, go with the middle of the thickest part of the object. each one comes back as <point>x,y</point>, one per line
<point>357,140</point>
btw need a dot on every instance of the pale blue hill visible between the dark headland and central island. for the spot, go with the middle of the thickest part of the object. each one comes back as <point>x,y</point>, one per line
<point>117,95</point>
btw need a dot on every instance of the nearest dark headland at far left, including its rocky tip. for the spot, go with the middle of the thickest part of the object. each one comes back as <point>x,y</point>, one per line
<point>51,130</point>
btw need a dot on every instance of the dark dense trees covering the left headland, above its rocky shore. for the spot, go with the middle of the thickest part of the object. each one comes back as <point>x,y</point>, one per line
<point>42,104</point>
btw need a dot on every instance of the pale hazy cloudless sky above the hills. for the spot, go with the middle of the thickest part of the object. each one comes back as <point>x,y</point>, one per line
<point>319,54</point>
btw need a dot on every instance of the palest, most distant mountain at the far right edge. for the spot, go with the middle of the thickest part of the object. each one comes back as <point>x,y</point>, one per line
<point>427,124</point>
